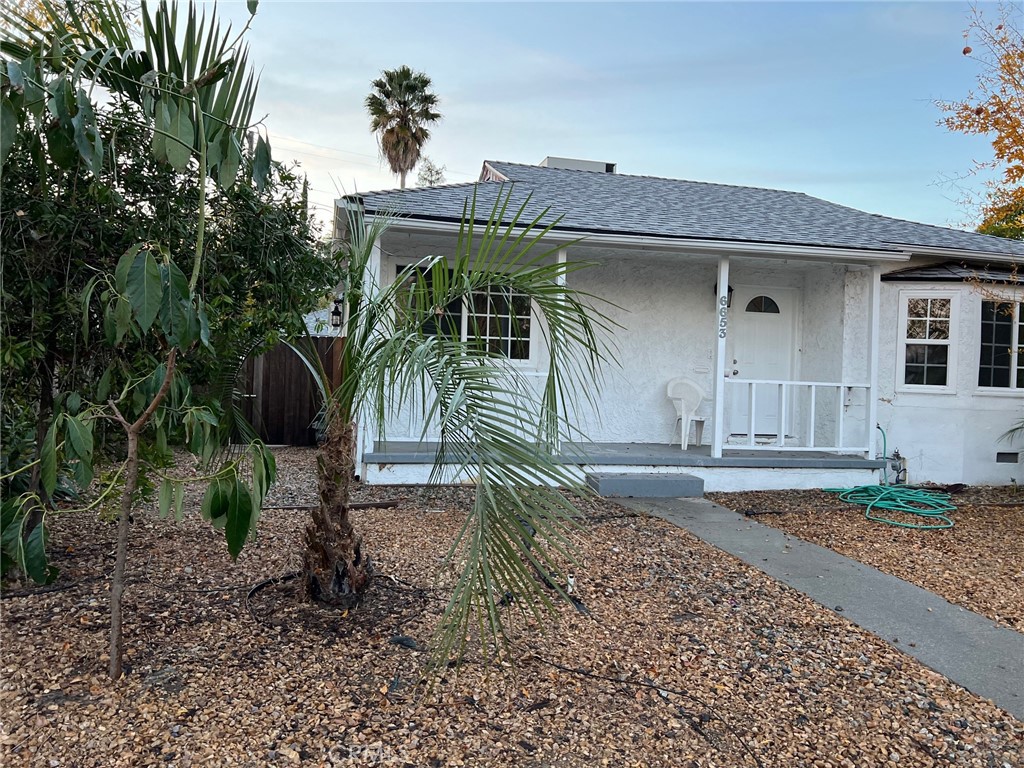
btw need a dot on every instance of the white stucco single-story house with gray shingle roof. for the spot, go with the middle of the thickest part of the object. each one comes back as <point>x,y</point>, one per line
<point>821,335</point>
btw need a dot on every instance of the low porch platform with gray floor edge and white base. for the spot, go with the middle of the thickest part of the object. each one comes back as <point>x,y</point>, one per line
<point>408,462</point>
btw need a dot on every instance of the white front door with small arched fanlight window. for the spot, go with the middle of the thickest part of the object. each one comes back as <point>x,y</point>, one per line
<point>761,347</point>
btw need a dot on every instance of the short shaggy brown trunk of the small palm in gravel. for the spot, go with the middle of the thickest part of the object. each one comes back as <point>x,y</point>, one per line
<point>336,572</point>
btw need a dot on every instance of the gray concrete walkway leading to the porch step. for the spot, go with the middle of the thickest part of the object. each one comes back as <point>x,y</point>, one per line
<point>968,649</point>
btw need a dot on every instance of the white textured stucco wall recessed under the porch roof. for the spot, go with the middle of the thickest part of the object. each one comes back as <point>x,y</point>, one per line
<point>665,306</point>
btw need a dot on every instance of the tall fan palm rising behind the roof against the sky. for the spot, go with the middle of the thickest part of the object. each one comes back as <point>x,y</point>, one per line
<point>401,108</point>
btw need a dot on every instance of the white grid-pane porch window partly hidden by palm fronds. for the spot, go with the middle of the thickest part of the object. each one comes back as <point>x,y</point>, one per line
<point>499,319</point>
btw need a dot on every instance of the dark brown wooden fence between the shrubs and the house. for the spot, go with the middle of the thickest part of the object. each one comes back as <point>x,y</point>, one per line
<point>282,399</point>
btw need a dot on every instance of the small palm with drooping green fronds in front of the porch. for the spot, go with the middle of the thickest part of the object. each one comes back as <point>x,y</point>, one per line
<point>517,539</point>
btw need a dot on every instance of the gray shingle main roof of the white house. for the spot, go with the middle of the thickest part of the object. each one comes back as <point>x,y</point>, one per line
<point>619,204</point>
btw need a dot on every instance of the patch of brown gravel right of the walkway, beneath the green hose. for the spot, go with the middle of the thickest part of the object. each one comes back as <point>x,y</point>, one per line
<point>978,564</point>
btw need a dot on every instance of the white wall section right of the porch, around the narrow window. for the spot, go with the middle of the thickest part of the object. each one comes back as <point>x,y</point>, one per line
<point>947,438</point>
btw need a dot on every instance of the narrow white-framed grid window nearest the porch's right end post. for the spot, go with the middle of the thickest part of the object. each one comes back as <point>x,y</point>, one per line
<point>927,354</point>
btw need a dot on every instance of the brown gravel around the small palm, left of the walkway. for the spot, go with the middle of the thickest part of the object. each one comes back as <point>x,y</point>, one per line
<point>688,658</point>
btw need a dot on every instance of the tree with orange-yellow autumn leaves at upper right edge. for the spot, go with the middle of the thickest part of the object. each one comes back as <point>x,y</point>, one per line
<point>996,108</point>
